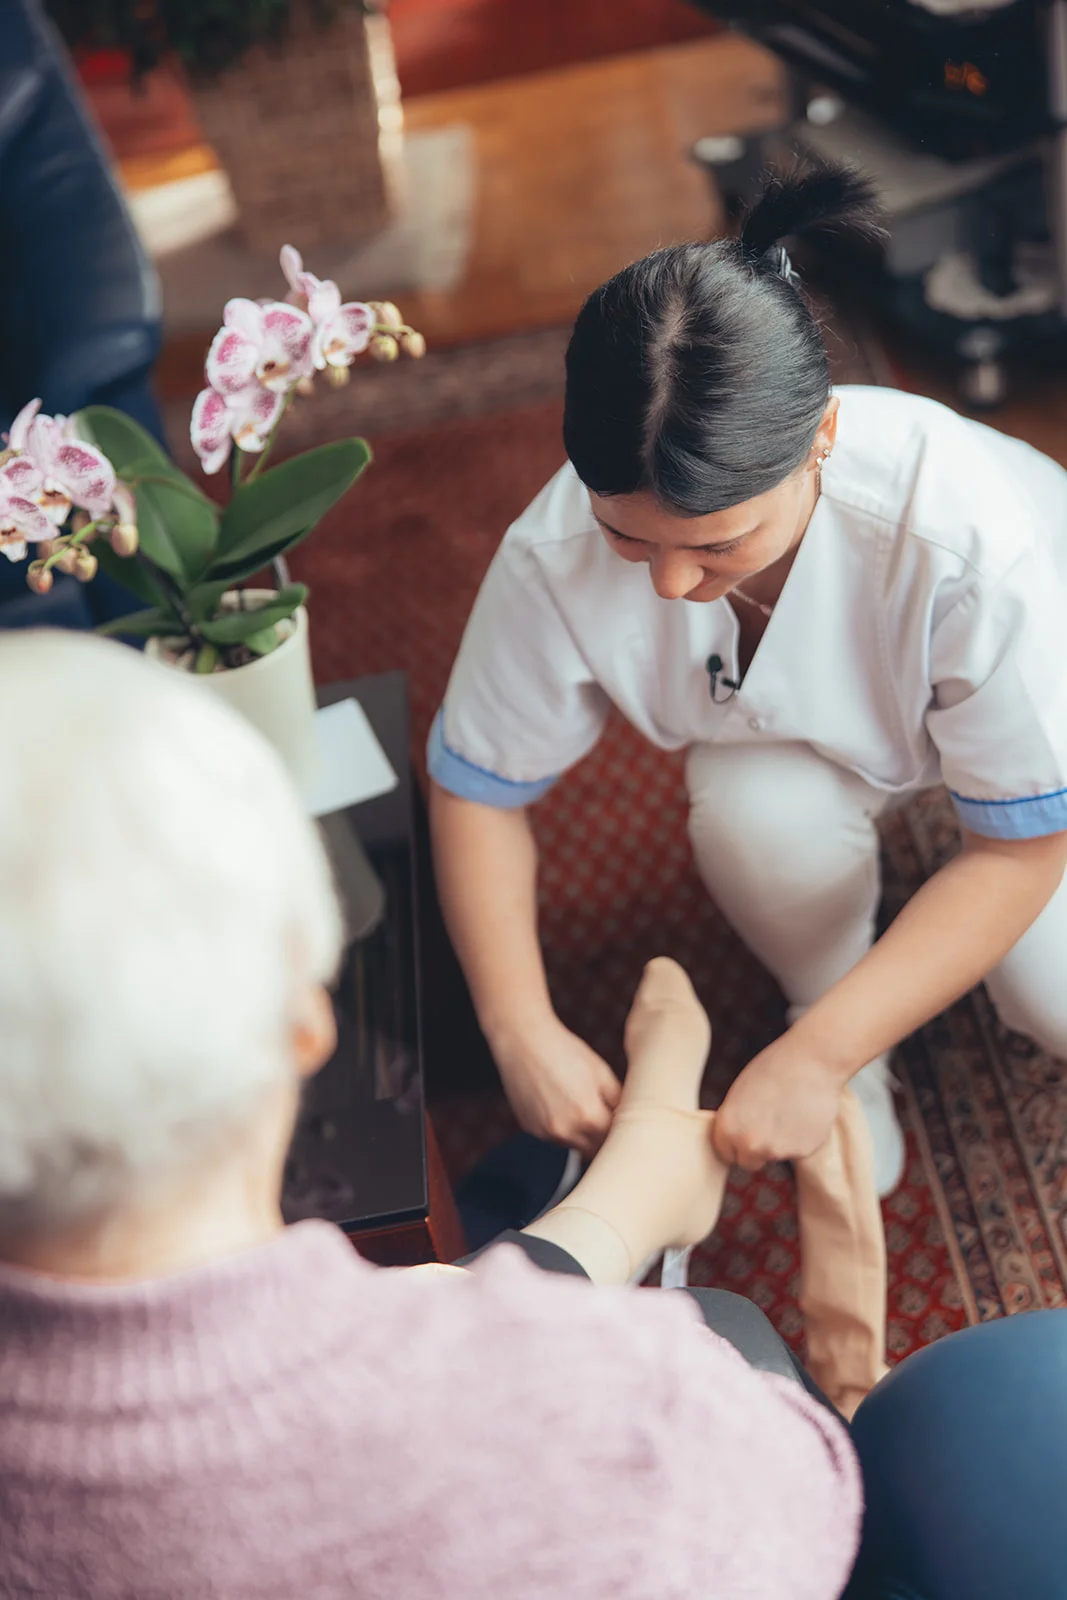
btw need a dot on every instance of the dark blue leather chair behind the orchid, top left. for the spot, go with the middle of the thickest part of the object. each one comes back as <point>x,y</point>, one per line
<point>79,300</point>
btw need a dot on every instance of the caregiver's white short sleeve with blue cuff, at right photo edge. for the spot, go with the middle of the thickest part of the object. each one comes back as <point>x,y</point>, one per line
<point>999,671</point>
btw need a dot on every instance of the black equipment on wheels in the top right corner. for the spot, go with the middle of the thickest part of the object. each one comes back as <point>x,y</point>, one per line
<point>961,118</point>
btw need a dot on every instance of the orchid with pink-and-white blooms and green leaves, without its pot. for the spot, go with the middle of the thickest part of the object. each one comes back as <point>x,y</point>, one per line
<point>97,492</point>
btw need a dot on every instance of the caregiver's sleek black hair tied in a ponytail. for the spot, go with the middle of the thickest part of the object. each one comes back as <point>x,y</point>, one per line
<point>700,374</point>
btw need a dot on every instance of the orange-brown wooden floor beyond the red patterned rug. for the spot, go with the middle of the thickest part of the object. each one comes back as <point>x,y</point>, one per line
<point>577,170</point>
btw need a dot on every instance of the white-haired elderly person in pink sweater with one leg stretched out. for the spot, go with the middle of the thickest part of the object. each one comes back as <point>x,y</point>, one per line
<point>198,1402</point>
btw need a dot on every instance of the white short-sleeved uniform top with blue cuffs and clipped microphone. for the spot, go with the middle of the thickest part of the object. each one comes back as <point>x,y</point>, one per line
<point>921,638</point>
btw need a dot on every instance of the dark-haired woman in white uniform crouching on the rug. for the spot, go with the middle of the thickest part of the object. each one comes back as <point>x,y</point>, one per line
<point>877,604</point>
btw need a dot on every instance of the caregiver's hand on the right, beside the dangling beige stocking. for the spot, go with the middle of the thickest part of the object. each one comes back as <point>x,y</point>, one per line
<point>781,1108</point>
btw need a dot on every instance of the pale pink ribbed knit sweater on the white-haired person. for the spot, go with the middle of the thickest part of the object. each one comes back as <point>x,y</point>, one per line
<point>295,1425</point>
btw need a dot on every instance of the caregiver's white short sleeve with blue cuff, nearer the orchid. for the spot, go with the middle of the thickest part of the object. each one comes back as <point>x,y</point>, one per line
<point>522,705</point>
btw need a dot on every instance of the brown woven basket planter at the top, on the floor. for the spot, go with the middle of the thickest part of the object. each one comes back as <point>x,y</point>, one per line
<point>310,132</point>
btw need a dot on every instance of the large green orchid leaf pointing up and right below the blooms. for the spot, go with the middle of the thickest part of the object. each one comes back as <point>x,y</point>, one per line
<point>278,510</point>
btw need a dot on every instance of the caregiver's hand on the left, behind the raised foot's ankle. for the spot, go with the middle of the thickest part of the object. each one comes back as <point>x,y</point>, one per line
<point>557,1087</point>
